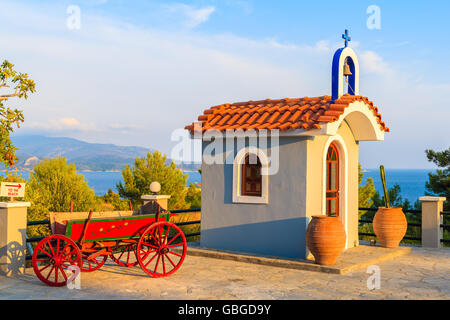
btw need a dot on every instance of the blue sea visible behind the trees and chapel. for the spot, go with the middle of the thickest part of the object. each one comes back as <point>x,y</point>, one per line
<point>411,181</point>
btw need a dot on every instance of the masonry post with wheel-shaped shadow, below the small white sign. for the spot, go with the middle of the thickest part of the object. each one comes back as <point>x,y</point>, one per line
<point>13,230</point>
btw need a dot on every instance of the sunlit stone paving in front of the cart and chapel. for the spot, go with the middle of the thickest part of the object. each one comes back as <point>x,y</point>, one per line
<point>422,274</point>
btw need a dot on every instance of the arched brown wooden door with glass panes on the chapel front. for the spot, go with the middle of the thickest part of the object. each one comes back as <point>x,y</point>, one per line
<point>332,181</point>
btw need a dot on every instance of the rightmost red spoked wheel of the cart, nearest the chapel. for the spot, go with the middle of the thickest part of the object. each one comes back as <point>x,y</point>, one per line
<point>161,249</point>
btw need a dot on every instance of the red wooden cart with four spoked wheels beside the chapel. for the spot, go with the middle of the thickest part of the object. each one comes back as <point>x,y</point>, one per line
<point>151,241</point>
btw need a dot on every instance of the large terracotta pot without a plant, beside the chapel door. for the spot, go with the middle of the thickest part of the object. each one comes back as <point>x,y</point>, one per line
<point>325,238</point>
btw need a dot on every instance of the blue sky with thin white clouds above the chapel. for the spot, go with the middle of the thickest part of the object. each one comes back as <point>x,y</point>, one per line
<point>138,70</point>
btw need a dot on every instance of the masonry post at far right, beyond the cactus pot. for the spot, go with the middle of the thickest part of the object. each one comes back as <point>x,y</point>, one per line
<point>431,221</point>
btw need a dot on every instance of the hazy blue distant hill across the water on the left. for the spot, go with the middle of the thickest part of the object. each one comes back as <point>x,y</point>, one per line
<point>86,156</point>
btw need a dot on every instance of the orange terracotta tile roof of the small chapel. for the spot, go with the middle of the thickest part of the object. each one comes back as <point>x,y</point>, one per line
<point>284,114</point>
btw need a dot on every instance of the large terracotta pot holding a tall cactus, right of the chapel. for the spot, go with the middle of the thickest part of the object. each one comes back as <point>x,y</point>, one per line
<point>389,224</point>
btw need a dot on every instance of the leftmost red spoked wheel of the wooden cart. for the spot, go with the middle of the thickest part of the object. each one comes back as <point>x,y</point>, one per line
<point>52,257</point>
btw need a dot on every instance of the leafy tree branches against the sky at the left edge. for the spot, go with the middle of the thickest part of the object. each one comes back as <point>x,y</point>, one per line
<point>20,86</point>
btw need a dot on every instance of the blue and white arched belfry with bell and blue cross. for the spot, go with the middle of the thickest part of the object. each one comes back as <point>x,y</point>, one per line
<point>345,71</point>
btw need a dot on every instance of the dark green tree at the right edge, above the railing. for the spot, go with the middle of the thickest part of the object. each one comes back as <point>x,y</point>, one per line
<point>438,183</point>
